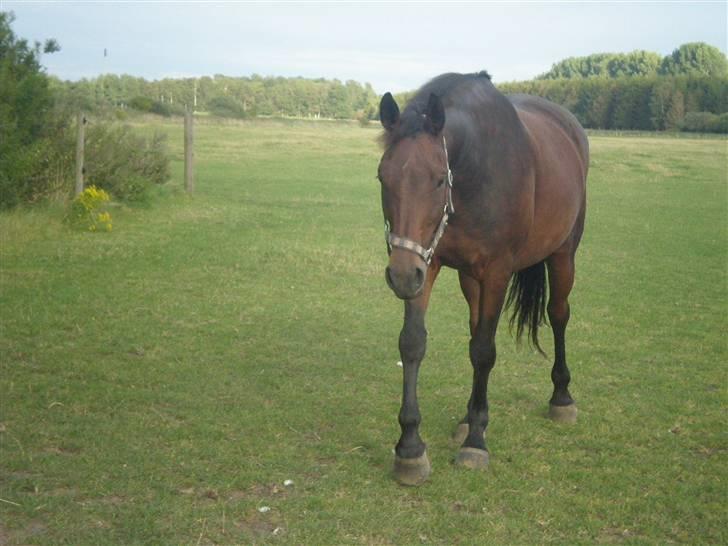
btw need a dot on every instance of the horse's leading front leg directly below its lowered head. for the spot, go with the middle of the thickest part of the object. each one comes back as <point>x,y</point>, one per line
<point>411,465</point>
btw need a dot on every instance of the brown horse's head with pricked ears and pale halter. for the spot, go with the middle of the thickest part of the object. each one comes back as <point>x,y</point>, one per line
<point>416,184</point>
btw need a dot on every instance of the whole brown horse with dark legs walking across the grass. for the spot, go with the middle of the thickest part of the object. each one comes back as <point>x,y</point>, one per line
<point>494,187</point>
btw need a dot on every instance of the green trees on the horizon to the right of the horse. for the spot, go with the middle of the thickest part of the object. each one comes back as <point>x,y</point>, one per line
<point>641,90</point>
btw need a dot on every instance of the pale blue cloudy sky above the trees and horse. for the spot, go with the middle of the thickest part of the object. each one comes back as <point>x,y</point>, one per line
<point>394,46</point>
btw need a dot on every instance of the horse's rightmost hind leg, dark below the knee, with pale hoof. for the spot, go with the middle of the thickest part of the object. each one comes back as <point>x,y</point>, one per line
<point>561,280</point>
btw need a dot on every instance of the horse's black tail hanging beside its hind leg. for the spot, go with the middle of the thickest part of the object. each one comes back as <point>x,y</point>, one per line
<point>528,292</point>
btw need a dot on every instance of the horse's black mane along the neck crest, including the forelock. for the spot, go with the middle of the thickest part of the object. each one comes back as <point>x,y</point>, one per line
<point>412,121</point>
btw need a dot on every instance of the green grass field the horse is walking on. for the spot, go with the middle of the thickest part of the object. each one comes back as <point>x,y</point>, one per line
<point>159,383</point>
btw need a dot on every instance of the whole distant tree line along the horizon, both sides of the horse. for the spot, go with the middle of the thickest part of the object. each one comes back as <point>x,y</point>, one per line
<point>640,90</point>
